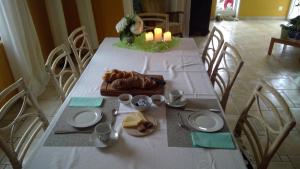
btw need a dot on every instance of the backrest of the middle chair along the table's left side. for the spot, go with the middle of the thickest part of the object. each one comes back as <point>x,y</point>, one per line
<point>62,70</point>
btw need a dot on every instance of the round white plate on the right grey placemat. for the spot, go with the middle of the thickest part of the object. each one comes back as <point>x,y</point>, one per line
<point>205,121</point>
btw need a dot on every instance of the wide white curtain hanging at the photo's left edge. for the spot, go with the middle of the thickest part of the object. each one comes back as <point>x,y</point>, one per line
<point>22,45</point>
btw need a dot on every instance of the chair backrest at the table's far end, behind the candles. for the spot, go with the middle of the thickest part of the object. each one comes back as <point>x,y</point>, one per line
<point>152,20</point>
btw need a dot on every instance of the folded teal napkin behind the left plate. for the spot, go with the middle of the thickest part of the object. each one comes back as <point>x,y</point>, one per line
<point>86,101</point>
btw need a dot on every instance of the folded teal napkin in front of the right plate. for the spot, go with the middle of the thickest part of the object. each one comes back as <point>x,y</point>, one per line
<point>212,140</point>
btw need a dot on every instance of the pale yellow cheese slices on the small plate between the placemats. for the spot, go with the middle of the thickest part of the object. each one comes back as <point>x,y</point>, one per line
<point>133,120</point>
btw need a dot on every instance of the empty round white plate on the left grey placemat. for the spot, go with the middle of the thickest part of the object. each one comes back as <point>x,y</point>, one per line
<point>85,118</point>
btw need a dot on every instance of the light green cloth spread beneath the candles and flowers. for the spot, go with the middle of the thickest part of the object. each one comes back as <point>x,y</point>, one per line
<point>152,46</point>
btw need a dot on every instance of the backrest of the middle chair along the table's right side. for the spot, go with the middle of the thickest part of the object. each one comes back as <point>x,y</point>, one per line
<point>225,72</point>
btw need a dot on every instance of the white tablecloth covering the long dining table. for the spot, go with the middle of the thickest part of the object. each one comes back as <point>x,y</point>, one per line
<point>182,69</point>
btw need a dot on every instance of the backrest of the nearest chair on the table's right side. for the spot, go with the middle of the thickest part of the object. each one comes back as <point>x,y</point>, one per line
<point>275,122</point>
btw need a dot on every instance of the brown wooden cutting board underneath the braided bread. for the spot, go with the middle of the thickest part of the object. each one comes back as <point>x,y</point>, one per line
<point>107,90</point>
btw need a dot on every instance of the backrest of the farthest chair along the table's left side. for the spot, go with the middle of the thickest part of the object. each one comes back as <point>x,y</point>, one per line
<point>81,47</point>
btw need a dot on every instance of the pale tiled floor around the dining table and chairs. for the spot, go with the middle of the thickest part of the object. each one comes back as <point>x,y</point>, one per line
<point>282,70</point>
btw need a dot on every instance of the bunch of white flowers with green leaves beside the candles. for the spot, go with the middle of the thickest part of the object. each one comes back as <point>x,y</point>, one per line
<point>130,26</point>
